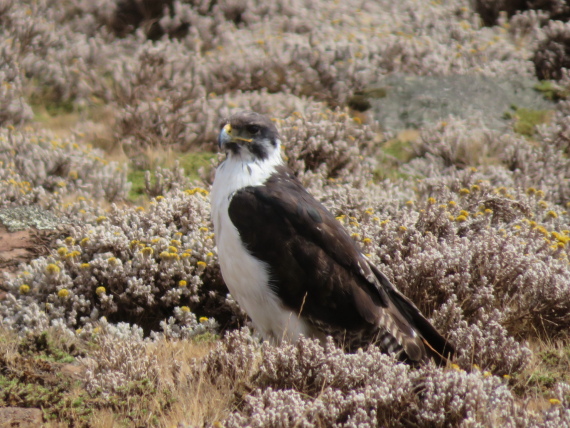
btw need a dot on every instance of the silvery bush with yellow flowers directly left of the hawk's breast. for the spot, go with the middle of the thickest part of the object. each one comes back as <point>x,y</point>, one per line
<point>129,265</point>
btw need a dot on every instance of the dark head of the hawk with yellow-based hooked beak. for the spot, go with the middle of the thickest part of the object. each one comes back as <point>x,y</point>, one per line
<point>251,133</point>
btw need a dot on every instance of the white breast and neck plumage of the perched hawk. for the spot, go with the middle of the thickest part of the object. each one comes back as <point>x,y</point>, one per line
<point>247,277</point>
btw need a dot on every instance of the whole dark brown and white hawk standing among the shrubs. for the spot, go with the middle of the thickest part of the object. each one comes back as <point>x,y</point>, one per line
<point>292,266</point>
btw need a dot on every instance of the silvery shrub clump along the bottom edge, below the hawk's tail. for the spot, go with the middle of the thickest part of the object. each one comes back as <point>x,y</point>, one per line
<point>310,385</point>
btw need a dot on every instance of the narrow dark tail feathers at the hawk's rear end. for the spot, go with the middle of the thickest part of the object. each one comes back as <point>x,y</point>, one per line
<point>436,346</point>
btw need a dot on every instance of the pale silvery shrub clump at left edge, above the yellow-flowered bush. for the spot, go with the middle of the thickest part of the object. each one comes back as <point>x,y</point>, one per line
<point>42,168</point>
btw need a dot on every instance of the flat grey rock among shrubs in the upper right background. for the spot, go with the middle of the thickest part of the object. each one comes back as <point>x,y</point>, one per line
<point>416,101</point>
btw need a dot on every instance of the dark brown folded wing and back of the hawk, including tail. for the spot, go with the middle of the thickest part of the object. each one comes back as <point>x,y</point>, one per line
<point>316,267</point>
